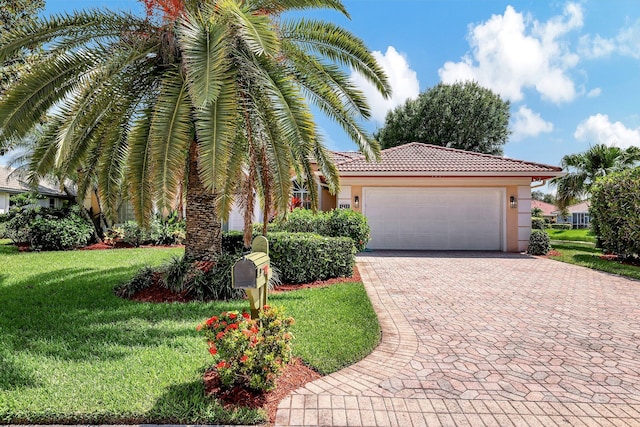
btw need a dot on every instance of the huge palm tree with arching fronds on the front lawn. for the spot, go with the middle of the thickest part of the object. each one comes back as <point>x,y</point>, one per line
<point>135,103</point>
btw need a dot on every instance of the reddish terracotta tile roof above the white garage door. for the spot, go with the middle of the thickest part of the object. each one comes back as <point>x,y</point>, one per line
<point>420,159</point>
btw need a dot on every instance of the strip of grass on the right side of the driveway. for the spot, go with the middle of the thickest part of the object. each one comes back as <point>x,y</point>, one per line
<point>587,256</point>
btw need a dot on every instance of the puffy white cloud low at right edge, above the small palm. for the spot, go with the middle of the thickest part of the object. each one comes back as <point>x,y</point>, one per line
<point>598,129</point>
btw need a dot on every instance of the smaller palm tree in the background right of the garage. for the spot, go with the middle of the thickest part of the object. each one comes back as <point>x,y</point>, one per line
<point>584,168</point>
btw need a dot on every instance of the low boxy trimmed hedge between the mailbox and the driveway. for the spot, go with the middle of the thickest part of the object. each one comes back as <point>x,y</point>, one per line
<point>305,257</point>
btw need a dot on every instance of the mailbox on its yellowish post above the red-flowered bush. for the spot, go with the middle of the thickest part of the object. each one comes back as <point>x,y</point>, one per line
<point>252,273</point>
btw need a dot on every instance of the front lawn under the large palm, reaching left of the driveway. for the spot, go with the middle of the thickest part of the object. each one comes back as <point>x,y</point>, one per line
<point>72,352</point>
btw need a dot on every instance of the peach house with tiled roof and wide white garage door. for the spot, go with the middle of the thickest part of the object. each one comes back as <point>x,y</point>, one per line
<point>427,197</point>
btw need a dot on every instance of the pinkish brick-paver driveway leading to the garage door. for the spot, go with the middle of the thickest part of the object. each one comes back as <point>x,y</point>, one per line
<point>486,339</point>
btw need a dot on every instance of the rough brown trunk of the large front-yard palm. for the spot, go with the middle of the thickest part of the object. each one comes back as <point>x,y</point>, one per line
<point>204,235</point>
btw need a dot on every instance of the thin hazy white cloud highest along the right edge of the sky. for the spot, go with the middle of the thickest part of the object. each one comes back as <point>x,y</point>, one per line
<point>625,43</point>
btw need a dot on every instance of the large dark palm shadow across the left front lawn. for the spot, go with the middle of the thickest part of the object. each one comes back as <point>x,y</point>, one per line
<point>72,314</point>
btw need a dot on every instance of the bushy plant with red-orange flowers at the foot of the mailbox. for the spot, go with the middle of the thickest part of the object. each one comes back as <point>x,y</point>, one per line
<point>249,352</point>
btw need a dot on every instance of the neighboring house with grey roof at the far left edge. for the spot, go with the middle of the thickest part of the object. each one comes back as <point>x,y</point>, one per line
<point>11,184</point>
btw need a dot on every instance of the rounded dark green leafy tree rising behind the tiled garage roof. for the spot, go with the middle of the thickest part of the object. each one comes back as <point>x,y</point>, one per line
<point>461,115</point>
